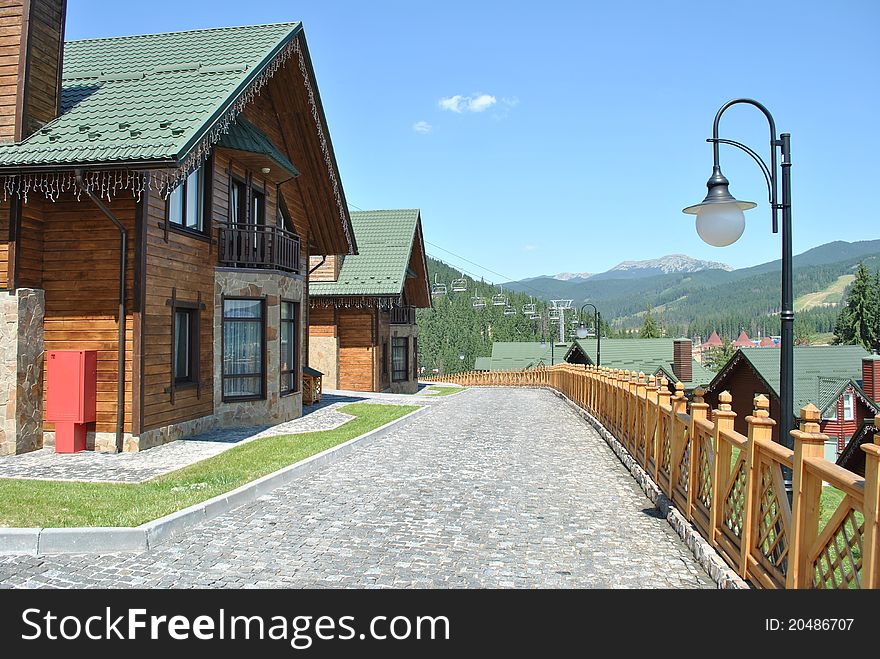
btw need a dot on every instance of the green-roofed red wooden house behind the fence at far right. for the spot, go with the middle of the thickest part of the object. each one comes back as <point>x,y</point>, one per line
<point>830,377</point>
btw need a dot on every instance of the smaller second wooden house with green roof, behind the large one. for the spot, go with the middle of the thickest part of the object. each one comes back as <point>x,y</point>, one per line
<point>363,334</point>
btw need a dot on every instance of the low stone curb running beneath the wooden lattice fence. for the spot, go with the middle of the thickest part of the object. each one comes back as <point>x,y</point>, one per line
<point>715,566</point>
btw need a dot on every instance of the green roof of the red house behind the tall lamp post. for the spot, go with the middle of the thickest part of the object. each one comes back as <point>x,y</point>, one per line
<point>815,368</point>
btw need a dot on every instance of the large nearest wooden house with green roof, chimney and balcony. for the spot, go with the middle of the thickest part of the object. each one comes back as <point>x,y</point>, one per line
<point>161,197</point>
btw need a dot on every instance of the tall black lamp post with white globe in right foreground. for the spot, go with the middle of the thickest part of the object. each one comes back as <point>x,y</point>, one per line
<point>720,222</point>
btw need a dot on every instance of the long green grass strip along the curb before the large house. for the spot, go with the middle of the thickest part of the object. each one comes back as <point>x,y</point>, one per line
<point>32,503</point>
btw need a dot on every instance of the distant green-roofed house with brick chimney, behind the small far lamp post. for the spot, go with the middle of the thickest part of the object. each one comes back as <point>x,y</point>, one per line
<point>670,358</point>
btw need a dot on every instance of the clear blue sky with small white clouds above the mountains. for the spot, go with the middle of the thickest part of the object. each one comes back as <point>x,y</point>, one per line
<point>567,136</point>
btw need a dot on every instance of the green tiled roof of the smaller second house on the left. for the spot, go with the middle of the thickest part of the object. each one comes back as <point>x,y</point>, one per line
<point>385,240</point>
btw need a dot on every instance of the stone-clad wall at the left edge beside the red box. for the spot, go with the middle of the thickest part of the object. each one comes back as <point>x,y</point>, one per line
<point>21,370</point>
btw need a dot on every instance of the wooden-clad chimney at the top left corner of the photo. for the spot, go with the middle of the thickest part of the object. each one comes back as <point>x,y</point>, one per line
<point>31,48</point>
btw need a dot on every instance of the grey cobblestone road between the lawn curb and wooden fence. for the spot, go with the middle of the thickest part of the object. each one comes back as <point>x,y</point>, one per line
<point>495,488</point>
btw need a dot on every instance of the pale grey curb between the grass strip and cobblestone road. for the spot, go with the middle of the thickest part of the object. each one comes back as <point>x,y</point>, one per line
<point>106,540</point>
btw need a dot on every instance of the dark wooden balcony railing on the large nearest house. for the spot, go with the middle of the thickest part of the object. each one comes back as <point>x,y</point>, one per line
<point>263,246</point>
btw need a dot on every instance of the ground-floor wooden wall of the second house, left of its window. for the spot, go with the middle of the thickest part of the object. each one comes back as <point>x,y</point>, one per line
<point>357,349</point>
